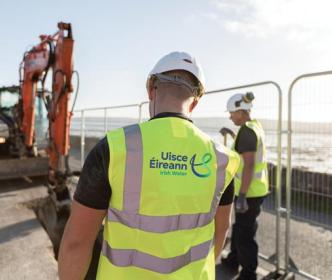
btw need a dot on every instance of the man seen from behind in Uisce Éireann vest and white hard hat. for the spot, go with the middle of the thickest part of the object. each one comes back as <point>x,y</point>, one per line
<point>162,187</point>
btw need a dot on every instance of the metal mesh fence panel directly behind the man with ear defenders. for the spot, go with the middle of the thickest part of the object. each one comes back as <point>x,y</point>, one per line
<point>211,115</point>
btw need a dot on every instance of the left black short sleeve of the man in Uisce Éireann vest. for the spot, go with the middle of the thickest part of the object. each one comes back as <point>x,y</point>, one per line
<point>93,188</point>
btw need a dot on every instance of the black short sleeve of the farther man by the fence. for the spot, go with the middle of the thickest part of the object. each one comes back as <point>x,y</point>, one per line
<point>246,140</point>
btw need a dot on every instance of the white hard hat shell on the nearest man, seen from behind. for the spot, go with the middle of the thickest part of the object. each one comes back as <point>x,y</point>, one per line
<point>178,61</point>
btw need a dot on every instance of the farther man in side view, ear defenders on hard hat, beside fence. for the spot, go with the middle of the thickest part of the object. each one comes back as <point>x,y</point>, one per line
<point>251,186</point>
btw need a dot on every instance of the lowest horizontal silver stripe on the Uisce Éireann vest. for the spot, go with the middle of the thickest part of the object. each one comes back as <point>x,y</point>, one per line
<point>131,257</point>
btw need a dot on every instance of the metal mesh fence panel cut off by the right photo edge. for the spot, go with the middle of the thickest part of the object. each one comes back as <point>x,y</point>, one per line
<point>309,175</point>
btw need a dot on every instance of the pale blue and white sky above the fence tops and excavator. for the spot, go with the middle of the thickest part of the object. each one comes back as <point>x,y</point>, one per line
<point>118,42</point>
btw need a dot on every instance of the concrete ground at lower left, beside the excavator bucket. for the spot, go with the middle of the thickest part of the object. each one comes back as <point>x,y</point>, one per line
<point>25,249</point>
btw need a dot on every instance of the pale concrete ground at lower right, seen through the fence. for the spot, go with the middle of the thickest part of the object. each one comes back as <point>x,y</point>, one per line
<point>310,246</point>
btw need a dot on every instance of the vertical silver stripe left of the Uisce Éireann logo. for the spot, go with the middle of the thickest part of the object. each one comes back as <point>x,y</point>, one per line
<point>134,168</point>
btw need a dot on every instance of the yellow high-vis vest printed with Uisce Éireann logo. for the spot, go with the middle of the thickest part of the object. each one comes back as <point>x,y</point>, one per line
<point>167,178</point>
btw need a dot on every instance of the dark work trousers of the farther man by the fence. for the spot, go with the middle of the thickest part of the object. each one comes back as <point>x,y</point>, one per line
<point>244,248</point>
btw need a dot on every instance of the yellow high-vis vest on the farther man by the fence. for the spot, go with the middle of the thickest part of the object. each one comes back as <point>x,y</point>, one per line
<point>259,185</point>
